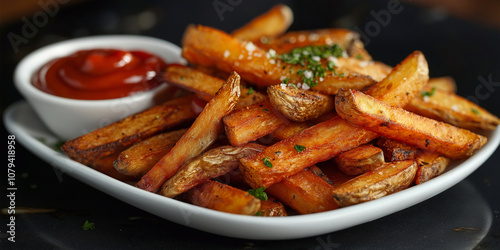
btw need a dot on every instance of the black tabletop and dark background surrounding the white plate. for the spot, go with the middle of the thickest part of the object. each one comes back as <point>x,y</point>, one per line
<point>465,216</point>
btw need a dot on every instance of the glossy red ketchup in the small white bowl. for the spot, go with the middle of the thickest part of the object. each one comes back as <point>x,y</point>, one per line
<point>100,74</point>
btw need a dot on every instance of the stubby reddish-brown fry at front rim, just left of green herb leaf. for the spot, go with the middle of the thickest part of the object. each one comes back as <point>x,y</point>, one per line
<point>221,197</point>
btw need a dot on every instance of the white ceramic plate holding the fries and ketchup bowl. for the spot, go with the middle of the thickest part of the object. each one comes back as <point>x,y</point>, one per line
<point>21,121</point>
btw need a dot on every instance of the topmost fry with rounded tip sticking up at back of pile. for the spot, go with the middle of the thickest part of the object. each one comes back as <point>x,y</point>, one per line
<point>270,24</point>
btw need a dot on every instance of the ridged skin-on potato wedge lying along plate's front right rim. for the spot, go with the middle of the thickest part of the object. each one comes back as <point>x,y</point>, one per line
<point>389,178</point>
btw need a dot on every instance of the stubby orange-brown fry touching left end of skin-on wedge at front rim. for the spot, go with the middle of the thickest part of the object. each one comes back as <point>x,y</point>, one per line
<point>305,192</point>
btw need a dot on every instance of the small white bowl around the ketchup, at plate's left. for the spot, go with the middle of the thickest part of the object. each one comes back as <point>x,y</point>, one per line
<point>69,118</point>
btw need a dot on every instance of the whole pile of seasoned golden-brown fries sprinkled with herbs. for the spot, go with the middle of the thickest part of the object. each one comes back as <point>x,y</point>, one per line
<point>259,130</point>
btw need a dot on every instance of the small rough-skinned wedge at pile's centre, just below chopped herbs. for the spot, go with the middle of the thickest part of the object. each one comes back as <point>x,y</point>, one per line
<point>297,104</point>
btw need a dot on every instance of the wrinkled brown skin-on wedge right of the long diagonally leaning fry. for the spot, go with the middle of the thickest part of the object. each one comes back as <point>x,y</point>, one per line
<point>211,164</point>
